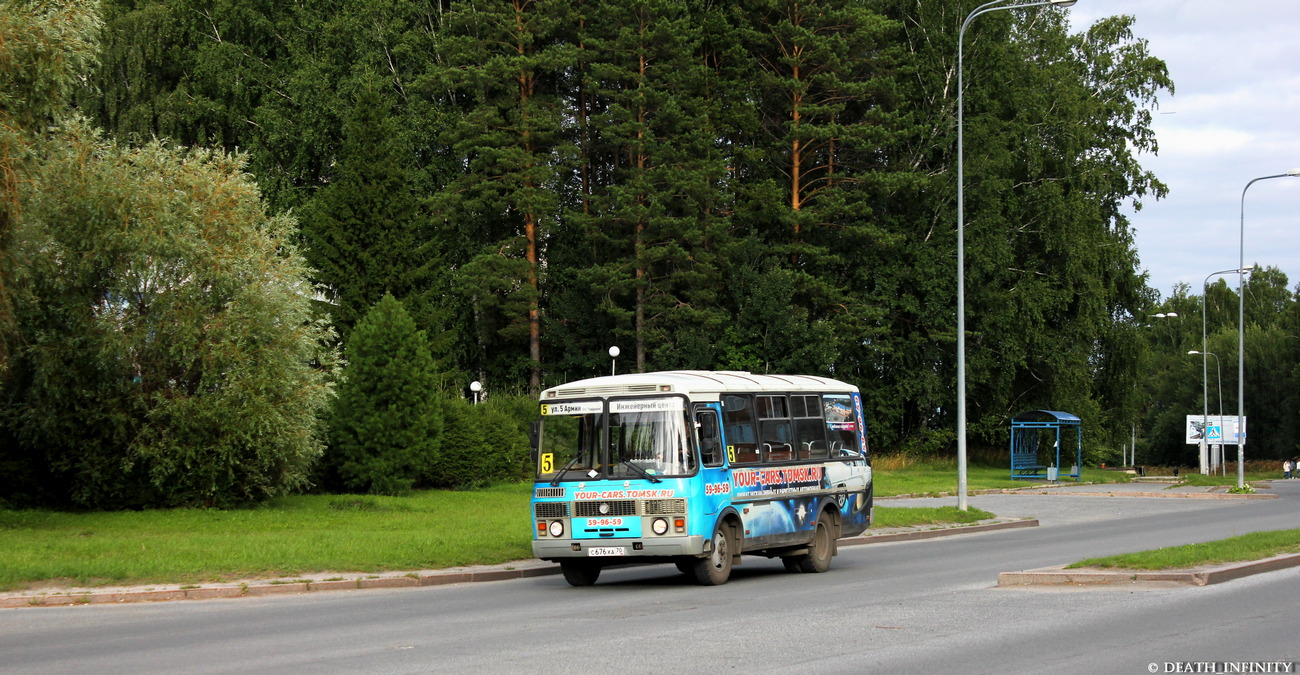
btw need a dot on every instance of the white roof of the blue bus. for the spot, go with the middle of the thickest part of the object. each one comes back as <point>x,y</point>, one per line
<point>695,383</point>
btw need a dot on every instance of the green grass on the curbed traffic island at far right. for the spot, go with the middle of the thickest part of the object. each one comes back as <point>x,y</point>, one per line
<point>1254,547</point>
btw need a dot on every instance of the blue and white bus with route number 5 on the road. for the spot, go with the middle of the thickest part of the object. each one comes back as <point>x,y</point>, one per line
<point>697,469</point>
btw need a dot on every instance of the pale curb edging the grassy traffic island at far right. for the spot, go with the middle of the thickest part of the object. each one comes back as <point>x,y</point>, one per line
<point>1059,576</point>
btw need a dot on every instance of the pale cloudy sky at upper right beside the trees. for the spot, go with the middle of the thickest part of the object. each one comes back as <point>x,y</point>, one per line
<point>1234,116</point>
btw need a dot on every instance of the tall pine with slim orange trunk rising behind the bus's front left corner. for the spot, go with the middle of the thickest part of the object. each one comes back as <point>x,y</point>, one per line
<point>501,66</point>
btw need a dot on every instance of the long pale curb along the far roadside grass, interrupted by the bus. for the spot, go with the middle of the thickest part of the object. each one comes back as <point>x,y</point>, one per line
<point>432,578</point>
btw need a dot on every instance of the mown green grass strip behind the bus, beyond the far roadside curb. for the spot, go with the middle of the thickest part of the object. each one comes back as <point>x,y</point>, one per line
<point>294,536</point>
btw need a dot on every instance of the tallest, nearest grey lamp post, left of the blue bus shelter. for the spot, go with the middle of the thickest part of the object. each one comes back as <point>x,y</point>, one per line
<point>961,248</point>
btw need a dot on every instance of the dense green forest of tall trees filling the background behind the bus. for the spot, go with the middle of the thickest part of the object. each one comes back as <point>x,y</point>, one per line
<point>505,189</point>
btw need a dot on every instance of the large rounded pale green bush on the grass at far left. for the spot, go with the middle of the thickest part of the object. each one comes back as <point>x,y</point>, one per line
<point>168,353</point>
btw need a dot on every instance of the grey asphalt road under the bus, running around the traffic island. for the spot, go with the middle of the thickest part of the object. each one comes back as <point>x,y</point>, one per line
<point>921,607</point>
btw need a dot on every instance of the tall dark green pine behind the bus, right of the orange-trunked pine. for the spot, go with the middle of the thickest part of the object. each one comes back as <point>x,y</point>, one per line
<point>640,256</point>
